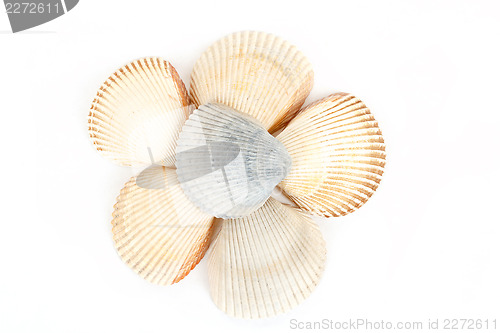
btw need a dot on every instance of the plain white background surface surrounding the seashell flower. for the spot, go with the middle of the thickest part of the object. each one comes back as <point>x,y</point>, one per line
<point>425,246</point>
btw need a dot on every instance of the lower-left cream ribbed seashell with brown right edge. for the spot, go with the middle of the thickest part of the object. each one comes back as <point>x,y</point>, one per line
<point>159,233</point>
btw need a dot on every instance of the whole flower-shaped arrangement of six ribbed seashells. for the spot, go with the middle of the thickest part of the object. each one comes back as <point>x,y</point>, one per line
<point>217,153</point>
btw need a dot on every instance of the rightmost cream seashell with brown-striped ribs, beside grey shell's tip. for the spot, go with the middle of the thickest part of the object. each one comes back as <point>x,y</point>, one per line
<point>338,155</point>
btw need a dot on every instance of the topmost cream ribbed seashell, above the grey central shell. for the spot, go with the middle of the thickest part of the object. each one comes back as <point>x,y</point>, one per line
<point>255,73</point>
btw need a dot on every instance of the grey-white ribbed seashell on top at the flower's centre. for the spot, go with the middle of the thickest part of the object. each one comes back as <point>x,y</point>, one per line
<point>227,163</point>
